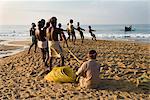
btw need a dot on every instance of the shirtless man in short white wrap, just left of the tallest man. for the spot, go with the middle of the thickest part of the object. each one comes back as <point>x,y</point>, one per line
<point>42,42</point>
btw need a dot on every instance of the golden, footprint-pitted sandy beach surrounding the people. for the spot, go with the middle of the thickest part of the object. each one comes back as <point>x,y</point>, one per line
<point>125,73</point>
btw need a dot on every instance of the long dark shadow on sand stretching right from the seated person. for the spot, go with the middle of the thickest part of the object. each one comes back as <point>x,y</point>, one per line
<point>121,85</point>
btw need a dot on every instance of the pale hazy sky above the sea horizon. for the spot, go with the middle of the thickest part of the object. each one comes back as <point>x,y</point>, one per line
<point>24,12</point>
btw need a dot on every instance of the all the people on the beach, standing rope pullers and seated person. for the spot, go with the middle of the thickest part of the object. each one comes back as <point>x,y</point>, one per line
<point>46,37</point>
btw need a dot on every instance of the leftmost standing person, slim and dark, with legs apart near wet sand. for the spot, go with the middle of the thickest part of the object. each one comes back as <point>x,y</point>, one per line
<point>34,40</point>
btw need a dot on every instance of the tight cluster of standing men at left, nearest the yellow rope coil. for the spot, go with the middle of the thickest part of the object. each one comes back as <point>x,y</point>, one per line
<point>47,39</point>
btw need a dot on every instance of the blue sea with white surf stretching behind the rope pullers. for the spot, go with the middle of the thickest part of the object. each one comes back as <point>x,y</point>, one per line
<point>141,32</point>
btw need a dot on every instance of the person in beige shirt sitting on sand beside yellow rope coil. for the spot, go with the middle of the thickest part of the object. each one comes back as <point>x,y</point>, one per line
<point>89,72</point>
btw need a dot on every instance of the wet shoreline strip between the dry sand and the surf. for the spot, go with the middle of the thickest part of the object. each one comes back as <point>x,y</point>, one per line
<point>8,48</point>
